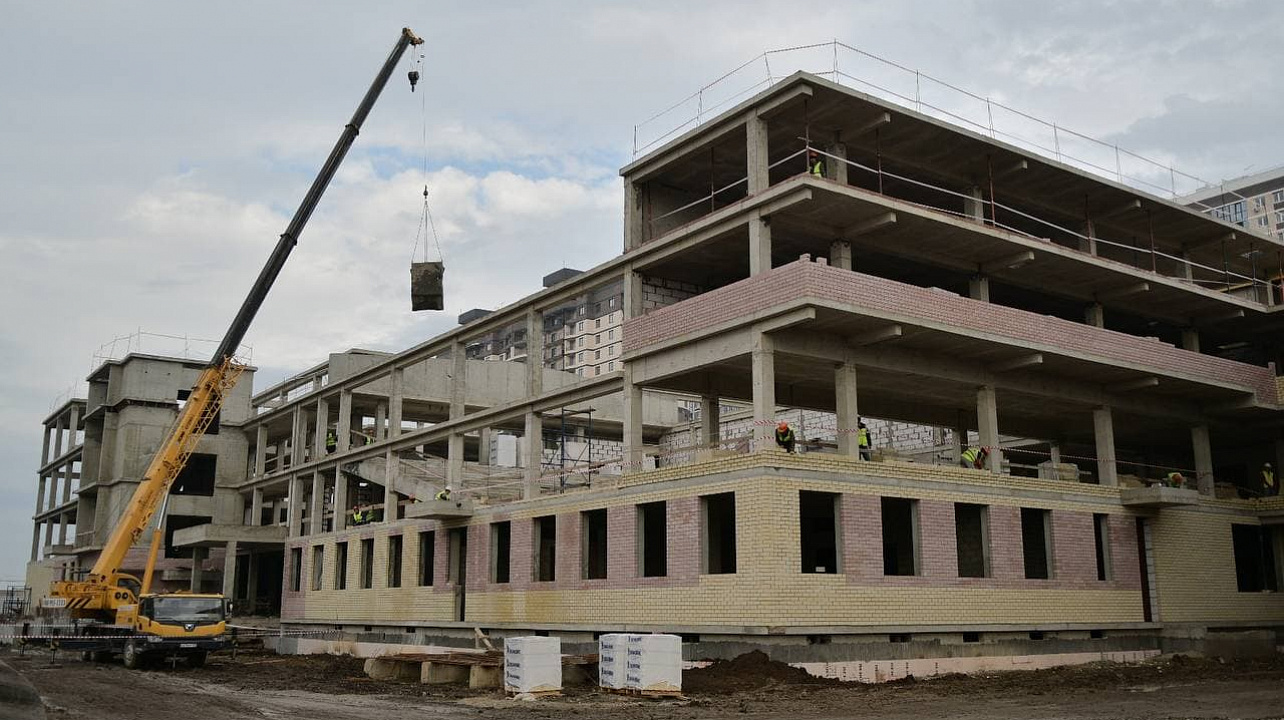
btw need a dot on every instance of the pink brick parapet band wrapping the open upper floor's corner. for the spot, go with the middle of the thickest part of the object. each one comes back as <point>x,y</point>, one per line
<point>907,304</point>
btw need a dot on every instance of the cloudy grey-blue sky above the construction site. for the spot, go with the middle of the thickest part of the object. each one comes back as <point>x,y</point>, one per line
<point>151,153</point>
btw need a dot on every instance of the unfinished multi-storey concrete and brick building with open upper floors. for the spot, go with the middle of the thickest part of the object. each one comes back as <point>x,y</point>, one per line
<point>822,257</point>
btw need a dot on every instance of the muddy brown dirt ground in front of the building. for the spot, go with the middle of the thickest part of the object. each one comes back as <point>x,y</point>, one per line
<point>264,686</point>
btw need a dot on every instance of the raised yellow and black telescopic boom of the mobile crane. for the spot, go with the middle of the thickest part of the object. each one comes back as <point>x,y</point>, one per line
<point>98,592</point>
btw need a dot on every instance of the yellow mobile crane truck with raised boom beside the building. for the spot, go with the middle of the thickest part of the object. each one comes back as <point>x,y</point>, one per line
<point>123,614</point>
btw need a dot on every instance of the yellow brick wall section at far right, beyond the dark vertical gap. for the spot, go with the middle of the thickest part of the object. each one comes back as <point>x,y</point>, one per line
<point>1195,564</point>
